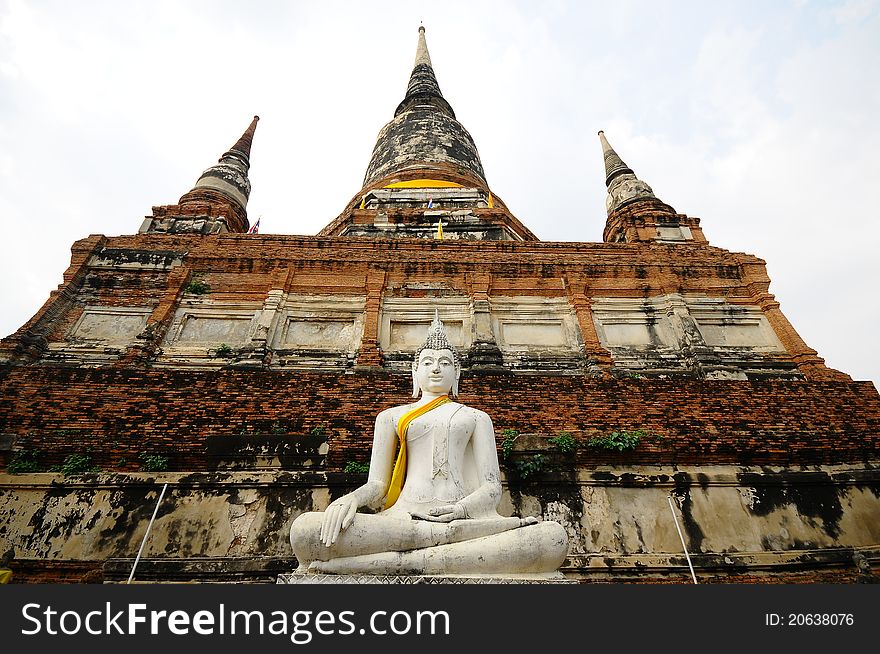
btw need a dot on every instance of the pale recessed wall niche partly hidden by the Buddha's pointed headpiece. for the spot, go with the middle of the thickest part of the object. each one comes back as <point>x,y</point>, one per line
<point>404,322</point>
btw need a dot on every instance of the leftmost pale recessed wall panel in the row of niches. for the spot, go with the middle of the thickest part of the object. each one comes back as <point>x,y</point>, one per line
<point>100,335</point>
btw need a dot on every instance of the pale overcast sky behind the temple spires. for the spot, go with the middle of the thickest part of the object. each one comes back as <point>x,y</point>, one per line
<point>761,118</point>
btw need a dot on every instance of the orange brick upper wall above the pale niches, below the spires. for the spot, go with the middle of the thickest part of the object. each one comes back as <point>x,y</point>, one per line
<point>244,268</point>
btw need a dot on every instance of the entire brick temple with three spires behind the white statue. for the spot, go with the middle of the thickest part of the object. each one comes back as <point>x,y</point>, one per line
<point>246,370</point>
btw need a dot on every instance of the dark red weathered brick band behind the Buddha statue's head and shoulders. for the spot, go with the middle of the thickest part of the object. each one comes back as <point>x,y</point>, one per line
<point>118,413</point>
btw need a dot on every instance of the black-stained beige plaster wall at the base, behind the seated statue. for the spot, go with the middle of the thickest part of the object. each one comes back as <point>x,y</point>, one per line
<point>615,513</point>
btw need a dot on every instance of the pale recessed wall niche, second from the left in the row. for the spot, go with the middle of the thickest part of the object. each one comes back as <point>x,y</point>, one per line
<point>200,328</point>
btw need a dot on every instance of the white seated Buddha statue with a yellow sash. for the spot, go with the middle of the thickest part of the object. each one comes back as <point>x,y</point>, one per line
<point>441,494</point>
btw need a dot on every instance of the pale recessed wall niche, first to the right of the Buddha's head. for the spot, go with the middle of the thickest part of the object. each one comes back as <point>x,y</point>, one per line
<point>537,333</point>
